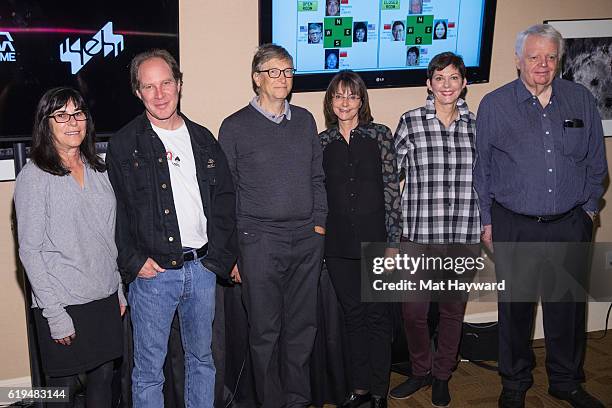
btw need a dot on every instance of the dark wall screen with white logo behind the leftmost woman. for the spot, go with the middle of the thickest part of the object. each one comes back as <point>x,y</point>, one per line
<point>87,45</point>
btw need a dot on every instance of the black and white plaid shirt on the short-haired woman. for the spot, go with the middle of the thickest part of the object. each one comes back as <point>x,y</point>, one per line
<point>439,202</point>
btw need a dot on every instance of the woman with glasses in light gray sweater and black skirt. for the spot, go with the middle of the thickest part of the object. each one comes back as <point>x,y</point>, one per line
<point>65,209</point>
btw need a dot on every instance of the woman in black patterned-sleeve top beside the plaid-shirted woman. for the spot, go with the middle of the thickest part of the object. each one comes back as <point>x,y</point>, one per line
<point>364,206</point>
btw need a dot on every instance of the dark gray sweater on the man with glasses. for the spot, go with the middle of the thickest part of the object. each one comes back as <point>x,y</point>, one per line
<point>277,167</point>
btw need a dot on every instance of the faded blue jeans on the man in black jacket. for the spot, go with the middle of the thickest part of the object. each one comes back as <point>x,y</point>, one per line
<point>153,302</point>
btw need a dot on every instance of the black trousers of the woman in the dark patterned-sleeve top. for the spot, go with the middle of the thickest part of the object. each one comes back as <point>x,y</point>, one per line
<point>367,327</point>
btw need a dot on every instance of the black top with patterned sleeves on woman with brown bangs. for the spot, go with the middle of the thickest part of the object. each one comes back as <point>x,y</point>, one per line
<point>362,189</point>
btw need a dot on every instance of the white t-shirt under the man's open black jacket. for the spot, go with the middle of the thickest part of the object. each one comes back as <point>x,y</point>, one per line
<point>185,189</point>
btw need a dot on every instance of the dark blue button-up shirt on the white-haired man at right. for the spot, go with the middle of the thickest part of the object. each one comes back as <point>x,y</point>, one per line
<point>528,161</point>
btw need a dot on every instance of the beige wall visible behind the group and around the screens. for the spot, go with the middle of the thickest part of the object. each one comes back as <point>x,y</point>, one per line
<point>217,83</point>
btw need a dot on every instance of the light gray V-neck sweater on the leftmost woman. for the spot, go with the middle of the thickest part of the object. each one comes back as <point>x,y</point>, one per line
<point>66,241</point>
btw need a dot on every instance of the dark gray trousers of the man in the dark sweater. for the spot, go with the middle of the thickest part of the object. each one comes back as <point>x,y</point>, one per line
<point>280,270</point>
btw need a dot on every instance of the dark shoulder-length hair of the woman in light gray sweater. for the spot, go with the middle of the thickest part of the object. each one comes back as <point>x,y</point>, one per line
<point>44,153</point>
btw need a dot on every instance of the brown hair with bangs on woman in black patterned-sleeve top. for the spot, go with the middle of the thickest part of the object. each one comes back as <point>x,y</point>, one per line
<point>347,80</point>
